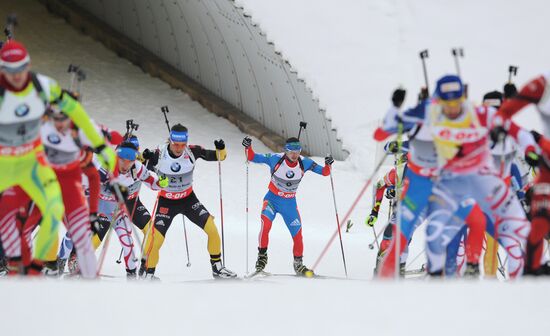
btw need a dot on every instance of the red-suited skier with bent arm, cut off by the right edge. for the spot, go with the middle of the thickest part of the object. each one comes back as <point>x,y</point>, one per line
<point>537,92</point>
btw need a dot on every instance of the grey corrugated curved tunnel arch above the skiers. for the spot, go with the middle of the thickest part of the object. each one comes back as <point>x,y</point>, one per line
<point>214,43</point>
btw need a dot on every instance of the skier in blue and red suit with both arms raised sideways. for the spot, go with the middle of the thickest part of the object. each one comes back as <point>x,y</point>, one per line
<point>287,170</point>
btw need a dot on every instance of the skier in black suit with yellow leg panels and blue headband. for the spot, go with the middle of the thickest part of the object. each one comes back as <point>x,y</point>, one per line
<point>176,161</point>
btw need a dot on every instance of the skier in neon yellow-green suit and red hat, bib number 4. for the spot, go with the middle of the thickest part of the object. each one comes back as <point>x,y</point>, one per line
<point>24,97</point>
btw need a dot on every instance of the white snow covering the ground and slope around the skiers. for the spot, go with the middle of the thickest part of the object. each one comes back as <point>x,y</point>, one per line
<point>184,301</point>
